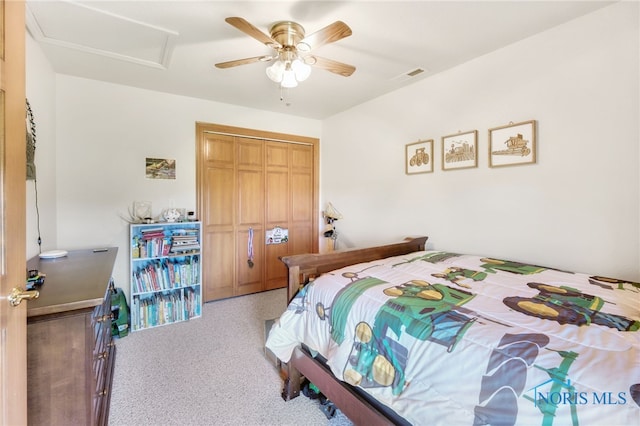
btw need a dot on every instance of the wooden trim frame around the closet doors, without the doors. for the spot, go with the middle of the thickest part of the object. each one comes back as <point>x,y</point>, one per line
<point>203,128</point>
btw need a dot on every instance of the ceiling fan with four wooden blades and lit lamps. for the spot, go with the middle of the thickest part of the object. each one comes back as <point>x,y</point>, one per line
<point>292,48</point>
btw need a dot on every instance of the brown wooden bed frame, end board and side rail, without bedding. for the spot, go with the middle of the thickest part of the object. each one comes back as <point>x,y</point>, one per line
<point>303,268</point>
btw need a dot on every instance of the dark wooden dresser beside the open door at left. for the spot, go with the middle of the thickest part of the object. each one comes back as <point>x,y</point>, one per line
<point>70,351</point>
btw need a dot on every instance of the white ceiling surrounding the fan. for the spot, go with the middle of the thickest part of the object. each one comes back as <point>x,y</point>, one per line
<point>172,46</point>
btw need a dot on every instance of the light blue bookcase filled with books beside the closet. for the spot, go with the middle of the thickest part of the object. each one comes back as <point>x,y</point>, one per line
<point>166,273</point>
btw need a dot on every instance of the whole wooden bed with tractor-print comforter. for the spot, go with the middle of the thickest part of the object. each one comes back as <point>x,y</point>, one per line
<point>398,334</point>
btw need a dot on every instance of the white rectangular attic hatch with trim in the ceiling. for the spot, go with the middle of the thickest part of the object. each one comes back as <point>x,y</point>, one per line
<point>87,29</point>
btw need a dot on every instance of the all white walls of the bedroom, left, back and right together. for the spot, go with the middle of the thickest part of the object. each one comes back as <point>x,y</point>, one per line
<point>577,208</point>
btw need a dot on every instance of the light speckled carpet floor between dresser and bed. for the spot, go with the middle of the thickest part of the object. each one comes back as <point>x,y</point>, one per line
<point>208,371</point>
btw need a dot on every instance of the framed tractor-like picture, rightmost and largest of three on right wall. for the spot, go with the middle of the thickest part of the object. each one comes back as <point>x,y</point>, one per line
<point>512,144</point>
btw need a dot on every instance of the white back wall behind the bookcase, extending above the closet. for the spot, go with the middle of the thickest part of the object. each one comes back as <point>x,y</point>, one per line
<point>104,133</point>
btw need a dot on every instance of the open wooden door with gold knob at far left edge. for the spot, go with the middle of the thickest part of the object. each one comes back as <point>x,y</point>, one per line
<point>13,319</point>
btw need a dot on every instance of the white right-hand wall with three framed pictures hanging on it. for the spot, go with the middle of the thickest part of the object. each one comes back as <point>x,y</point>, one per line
<point>577,208</point>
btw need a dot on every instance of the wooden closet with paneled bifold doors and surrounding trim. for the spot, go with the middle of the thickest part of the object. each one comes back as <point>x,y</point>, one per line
<point>251,184</point>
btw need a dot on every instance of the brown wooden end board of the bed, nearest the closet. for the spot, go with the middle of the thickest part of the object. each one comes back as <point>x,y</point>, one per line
<point>303,267</point>
